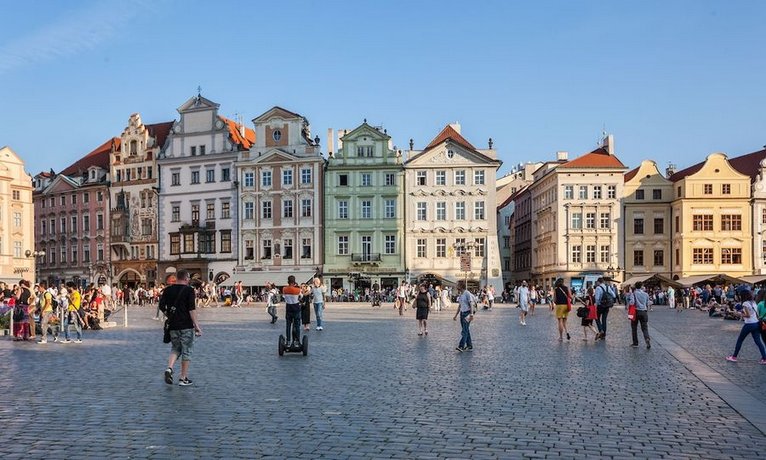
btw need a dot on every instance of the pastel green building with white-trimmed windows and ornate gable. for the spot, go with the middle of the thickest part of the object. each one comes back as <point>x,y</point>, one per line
<point>364,222</point>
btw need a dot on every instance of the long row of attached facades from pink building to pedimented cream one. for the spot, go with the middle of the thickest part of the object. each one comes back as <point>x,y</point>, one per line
<point>207,194</point>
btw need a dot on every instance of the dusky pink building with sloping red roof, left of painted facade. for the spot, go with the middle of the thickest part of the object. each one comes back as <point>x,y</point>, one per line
<point>72,219</point>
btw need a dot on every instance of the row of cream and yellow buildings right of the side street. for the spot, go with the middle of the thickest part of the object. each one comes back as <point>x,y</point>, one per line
<point>589,217</point>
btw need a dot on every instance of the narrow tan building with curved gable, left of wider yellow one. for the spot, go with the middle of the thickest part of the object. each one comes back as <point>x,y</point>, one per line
<point>647,195</point>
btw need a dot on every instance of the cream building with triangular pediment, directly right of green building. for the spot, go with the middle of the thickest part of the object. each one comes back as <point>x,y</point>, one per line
<point>450,201</point>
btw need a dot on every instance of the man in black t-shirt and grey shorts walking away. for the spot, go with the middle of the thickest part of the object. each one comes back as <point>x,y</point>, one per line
<point>178,303</point>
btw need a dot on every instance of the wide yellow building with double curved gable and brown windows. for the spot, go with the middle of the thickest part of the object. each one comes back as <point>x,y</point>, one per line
<point>712,229</point>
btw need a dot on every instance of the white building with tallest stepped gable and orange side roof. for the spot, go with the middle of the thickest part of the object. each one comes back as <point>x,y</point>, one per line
<point>198,192</point>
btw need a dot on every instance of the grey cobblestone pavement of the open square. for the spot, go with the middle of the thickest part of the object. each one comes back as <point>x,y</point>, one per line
<point>371,388</point>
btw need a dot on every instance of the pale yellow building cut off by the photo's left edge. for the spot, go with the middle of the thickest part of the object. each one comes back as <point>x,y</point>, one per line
<point>17,258</point>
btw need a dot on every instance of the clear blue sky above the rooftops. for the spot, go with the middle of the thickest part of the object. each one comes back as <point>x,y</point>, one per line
<point>672,80</point>
